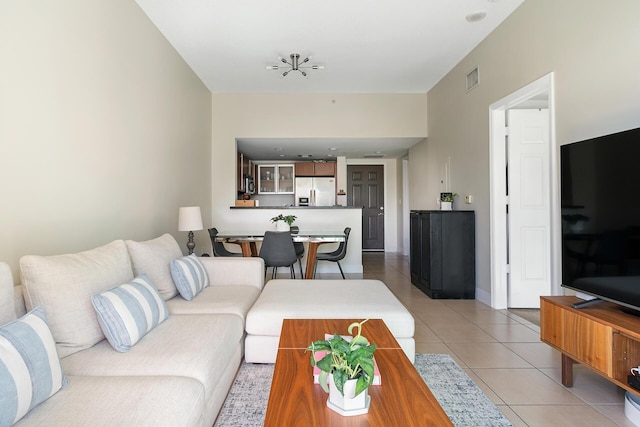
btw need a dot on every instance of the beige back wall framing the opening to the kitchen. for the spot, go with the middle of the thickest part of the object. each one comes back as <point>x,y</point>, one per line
<point>310,116</point>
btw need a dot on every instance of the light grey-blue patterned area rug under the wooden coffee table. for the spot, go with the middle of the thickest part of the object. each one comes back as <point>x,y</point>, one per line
<point>461,399</point>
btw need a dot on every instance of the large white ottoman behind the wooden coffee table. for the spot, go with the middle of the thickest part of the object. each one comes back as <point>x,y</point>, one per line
<point>316,299</point>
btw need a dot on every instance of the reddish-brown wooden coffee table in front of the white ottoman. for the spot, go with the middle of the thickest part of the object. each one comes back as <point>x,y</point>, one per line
<point>402,399</point>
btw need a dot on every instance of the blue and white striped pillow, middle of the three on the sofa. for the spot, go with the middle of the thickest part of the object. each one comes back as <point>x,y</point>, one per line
<point>128,312</point>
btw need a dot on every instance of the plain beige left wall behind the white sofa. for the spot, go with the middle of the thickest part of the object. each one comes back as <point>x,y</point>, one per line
<point>104,130</point>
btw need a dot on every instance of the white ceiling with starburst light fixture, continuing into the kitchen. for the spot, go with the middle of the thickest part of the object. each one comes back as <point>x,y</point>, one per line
<point>400,46</point>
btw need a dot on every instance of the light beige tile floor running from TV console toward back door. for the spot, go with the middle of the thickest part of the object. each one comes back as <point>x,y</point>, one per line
<point>502,353</point>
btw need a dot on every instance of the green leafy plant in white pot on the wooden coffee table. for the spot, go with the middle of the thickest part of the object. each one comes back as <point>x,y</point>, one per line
<point>349,366</point>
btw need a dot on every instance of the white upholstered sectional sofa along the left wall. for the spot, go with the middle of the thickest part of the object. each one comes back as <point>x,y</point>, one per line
<point>178,374</point>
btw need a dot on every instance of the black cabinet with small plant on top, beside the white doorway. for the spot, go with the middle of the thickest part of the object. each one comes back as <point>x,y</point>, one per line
<point>442,253</point>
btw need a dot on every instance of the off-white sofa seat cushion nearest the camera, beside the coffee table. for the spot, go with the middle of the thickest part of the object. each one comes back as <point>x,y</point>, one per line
<point>122,401</point>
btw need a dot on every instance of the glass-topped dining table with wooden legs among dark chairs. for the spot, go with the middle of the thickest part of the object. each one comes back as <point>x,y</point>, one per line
<point>247,240</point>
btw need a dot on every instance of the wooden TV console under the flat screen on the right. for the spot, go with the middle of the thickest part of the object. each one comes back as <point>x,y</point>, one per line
<point>601,337</point>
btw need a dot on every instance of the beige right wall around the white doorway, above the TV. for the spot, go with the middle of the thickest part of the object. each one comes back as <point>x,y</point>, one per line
<point>592,49</point>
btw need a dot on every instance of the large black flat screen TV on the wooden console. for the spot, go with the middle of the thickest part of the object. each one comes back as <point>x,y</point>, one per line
<point>600,191</point>
